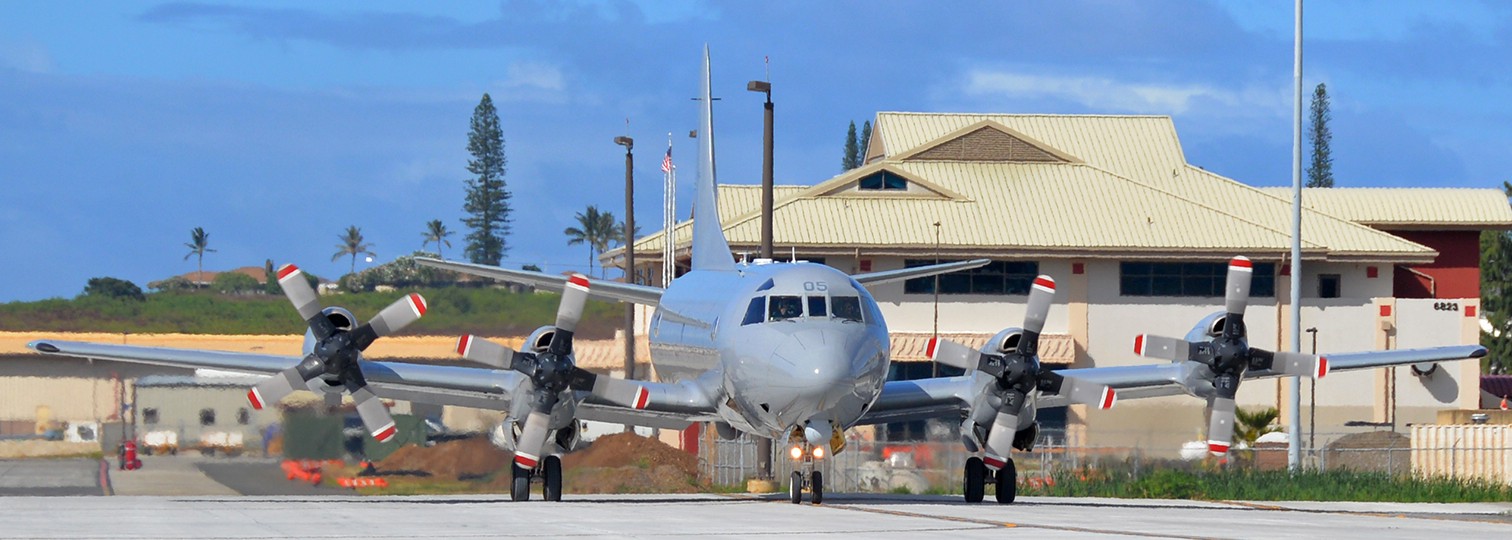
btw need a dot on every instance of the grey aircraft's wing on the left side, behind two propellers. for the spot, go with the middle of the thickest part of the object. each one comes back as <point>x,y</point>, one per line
<point>668,406</point>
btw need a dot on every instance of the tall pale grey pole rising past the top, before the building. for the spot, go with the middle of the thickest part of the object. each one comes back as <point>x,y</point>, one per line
<point>1295,433</point>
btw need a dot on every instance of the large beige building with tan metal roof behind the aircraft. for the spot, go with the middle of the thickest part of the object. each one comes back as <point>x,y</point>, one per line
<point>1138,241</point>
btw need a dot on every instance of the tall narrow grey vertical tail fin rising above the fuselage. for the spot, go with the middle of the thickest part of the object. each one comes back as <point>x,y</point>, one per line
<point>711,252</point>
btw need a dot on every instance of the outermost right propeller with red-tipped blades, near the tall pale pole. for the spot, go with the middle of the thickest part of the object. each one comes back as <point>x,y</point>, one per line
<point>1228,356</point>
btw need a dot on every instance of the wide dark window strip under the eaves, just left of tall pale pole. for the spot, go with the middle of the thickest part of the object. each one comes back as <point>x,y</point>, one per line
<point>1139,279</point>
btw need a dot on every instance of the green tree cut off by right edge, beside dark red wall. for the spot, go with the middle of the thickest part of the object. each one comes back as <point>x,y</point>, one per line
<point>1496,297</point>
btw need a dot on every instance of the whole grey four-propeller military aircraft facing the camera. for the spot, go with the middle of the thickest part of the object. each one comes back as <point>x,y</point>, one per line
<point>792,352</point>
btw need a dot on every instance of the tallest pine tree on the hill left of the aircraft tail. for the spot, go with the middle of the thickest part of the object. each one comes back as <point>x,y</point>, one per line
<point>488,203</point>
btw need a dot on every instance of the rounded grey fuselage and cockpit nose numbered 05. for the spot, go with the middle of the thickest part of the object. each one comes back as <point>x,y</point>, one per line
<point>799,344</point>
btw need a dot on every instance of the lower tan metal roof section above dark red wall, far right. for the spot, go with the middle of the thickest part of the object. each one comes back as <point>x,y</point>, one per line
<point>1410,208</point>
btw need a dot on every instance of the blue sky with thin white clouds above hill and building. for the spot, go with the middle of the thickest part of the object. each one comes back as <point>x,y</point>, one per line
<point>276,125</point>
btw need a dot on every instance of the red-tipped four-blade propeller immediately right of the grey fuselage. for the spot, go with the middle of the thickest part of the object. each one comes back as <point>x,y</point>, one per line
<point>1020,373</point>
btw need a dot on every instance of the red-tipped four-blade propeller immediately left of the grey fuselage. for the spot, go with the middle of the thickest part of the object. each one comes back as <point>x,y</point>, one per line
<point>553,371</point>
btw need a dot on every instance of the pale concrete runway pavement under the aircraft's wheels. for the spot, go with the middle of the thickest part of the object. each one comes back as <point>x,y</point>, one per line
<point>646,517</point>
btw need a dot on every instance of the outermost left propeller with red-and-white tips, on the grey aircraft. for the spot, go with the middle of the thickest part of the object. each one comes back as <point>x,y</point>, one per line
<point>338,352</point>
